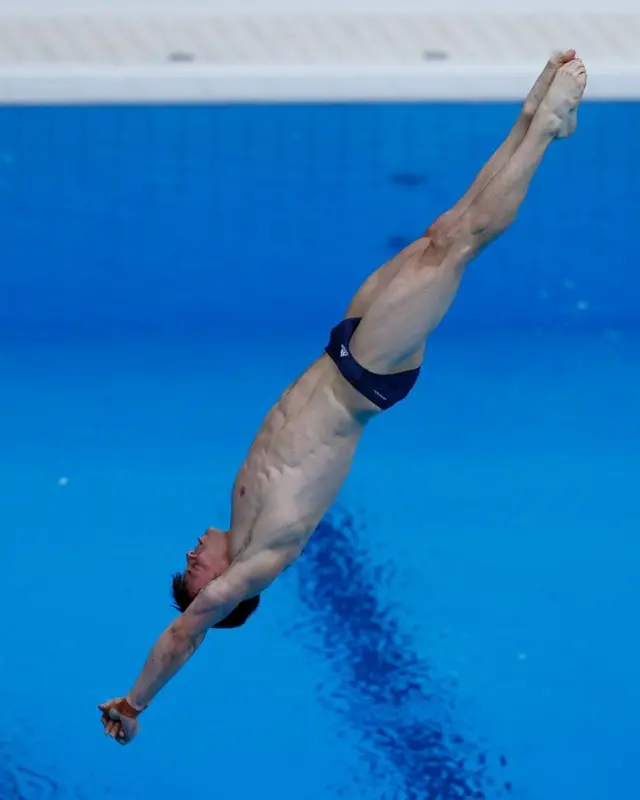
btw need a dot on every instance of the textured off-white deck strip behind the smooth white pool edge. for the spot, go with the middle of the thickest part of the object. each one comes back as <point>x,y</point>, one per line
<point>279,38</point>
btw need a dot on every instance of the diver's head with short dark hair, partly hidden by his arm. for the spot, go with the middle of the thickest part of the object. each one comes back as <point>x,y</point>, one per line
<point>206,562</point>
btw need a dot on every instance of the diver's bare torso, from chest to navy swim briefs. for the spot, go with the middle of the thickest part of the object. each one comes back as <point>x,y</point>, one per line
<point>297,462</point>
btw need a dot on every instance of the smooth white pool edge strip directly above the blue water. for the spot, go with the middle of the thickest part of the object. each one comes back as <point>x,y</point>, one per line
<point>188,83</point>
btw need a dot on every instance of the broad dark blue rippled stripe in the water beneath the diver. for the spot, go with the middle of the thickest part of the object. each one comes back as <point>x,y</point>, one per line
<point>389,695</point>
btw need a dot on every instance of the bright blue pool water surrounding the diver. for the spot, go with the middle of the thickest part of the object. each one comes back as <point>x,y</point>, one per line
<point>464,622</point>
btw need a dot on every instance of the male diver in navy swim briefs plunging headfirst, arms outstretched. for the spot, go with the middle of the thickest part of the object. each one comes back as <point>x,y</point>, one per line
<point>304,449</point>
